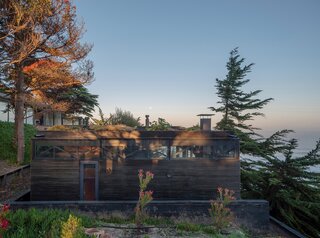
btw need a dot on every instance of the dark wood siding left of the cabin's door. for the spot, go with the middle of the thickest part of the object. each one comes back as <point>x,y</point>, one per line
<point>55,180</point>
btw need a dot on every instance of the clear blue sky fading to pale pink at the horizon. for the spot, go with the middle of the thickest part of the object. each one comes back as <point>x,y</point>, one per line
<point>162,57</point>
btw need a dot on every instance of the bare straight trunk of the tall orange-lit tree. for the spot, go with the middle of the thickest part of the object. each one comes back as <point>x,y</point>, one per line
<point>19,115</point>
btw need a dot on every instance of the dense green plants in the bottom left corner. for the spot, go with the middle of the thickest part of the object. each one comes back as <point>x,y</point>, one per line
<point>34,223</point>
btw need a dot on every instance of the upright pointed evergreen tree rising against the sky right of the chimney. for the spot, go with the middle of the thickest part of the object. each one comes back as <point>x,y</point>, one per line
<point>238,107</point>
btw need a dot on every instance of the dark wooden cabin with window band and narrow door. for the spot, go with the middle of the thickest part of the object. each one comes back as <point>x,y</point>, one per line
<point>103,165</point>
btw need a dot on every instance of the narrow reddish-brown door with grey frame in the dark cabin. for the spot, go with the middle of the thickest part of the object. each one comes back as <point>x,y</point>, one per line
<point>89,180</point>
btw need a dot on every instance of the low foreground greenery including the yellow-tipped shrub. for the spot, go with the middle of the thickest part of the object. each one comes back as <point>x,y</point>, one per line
<point>53,223</point>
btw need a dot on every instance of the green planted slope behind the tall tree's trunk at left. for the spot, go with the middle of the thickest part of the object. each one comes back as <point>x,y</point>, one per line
<point>7,149</point>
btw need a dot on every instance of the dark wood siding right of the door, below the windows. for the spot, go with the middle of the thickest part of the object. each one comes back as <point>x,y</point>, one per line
<point>174,179</point>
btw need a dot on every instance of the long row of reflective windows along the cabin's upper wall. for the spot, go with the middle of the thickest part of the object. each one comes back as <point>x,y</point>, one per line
<point>145,149</point>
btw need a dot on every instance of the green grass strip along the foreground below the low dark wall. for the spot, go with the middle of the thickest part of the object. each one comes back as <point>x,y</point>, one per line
<point>49,223</point>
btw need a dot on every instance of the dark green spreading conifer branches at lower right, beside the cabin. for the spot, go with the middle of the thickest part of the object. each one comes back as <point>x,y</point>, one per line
<point>289,184</point>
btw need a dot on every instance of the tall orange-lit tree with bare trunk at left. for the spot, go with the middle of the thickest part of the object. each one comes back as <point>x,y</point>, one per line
<point>40,49</point>
